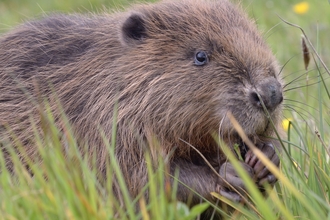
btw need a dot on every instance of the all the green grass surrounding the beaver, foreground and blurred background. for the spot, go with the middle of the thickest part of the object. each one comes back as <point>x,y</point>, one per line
<point>303,192</point>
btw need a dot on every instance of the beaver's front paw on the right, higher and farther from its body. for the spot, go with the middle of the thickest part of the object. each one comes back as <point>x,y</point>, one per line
<point>262,174</point>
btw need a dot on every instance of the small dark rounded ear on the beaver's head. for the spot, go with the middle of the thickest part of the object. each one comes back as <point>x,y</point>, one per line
<point>133,30</point>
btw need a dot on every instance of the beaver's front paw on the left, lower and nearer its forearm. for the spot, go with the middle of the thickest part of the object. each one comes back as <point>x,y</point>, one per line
<point>231,185</point>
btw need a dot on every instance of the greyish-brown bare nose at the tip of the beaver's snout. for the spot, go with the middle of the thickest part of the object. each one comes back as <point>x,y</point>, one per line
<point>270,91</point>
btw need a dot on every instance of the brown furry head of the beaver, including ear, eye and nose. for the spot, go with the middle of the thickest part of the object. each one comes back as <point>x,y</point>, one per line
<point>189,63</point>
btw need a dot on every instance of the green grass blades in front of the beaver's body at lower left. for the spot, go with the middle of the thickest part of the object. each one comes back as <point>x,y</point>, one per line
<point>64,186</point>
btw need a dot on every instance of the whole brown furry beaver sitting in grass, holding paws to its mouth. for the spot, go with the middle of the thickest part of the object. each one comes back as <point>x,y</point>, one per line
<point>172,71</point>
